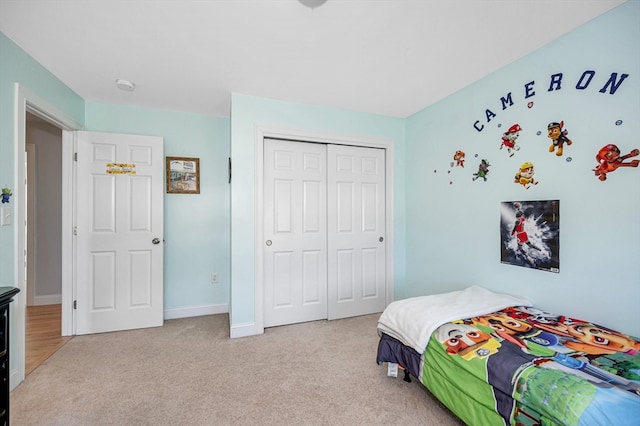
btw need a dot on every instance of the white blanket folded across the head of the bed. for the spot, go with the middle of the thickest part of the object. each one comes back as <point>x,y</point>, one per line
<point>412,320</point>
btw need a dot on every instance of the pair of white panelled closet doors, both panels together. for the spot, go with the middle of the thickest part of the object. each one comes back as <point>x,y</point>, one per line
<point>324,223</point>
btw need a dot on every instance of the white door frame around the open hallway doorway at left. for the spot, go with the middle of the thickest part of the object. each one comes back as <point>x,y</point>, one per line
<point>27,101</point>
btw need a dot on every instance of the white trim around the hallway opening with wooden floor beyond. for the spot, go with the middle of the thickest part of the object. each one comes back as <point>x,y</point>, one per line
<point>25,101</point>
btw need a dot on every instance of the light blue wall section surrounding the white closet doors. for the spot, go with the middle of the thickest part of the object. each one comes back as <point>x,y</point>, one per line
<point>248,112</point>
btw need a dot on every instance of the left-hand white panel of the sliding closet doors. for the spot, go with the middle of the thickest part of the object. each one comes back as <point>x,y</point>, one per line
<point>295,230</point>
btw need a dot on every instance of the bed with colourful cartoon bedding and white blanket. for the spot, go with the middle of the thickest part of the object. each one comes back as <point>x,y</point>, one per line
<point>495,359</point>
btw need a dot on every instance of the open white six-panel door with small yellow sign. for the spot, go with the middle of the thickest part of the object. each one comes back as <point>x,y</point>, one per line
<point>119,257</point>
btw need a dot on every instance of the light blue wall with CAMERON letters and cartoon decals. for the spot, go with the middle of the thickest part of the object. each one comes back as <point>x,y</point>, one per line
<point>452,222</point>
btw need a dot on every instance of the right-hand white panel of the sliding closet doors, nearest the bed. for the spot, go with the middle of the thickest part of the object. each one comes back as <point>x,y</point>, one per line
<point>356,231</point>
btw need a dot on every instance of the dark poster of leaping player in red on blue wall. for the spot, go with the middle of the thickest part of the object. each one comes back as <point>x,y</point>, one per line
<point>530,234</point>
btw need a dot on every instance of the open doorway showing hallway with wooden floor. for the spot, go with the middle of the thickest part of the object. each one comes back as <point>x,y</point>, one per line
<point>43,228</point>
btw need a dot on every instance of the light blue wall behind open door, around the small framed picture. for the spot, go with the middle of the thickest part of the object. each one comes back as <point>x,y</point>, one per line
<point>196,225</point>
